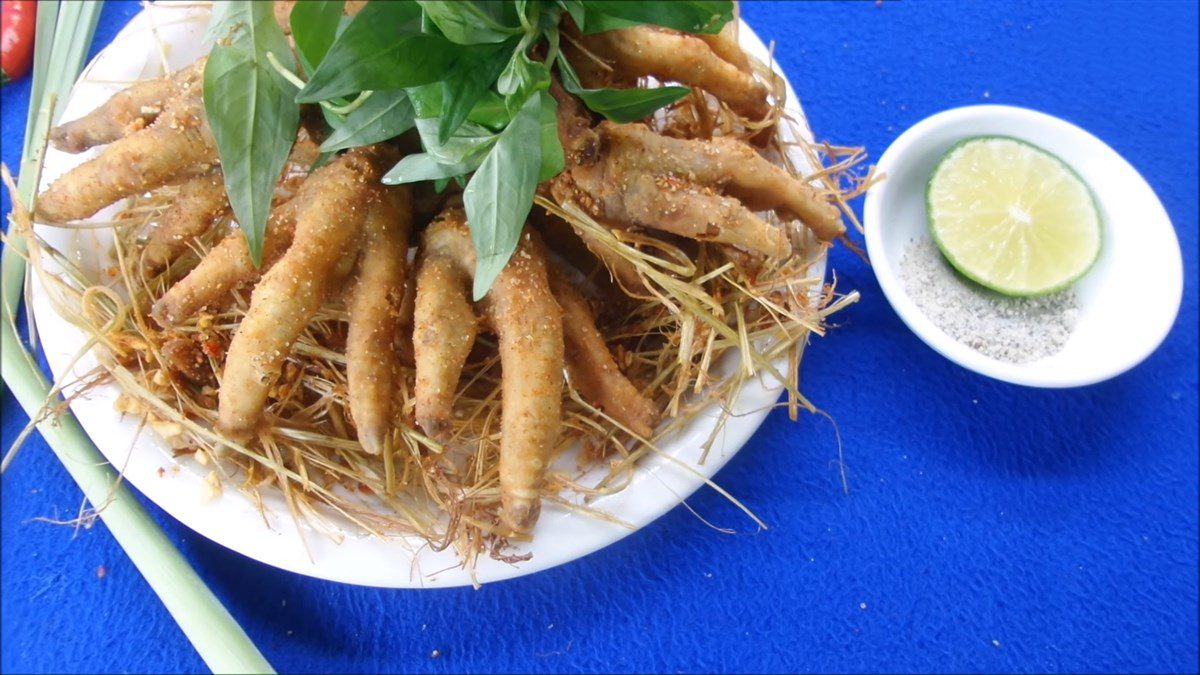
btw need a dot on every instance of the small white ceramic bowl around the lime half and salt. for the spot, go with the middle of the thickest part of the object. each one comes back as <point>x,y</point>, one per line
<point>1127,303</point>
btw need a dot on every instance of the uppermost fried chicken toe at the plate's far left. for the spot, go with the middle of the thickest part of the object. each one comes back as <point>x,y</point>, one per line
<point>125,114</point>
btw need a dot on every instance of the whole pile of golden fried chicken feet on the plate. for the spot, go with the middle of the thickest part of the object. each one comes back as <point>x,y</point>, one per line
<point>338,234</point>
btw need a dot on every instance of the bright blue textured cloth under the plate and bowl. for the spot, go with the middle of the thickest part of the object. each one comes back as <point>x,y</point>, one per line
<point>988,527</point>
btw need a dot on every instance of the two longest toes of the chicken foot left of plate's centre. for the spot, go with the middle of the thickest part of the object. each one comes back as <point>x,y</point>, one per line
<point>332,212</point>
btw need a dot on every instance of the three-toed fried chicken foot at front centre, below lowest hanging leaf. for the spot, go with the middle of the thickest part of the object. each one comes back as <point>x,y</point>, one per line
<point>543,325</point>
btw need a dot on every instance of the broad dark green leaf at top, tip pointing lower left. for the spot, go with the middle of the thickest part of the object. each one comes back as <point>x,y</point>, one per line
<point>381,49</point>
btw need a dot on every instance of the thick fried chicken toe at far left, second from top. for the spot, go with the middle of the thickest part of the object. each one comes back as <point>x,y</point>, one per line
<point>178,146</point>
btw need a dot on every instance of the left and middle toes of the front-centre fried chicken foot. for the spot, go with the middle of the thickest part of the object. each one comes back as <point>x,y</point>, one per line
<point>521,310</point>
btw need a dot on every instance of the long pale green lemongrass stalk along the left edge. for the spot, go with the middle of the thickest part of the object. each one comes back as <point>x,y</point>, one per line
<point>215,635</point>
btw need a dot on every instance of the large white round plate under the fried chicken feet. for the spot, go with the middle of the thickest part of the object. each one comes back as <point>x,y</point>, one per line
<point>233,521</point>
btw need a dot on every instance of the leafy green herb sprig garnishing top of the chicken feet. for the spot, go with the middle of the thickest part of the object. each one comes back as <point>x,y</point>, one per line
<point>472,76</point>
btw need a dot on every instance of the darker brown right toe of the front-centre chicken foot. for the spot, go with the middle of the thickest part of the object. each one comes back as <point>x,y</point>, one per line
<point>593,371</point>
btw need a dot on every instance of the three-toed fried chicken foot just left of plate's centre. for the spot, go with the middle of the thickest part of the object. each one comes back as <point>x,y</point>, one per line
<point>340,213</point>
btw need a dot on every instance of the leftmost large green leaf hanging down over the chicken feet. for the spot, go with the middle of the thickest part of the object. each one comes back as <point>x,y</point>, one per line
<point>251,111</point>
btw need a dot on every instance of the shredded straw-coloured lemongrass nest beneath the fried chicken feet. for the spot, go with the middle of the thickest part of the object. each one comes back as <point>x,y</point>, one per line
<point>707,321</point>
